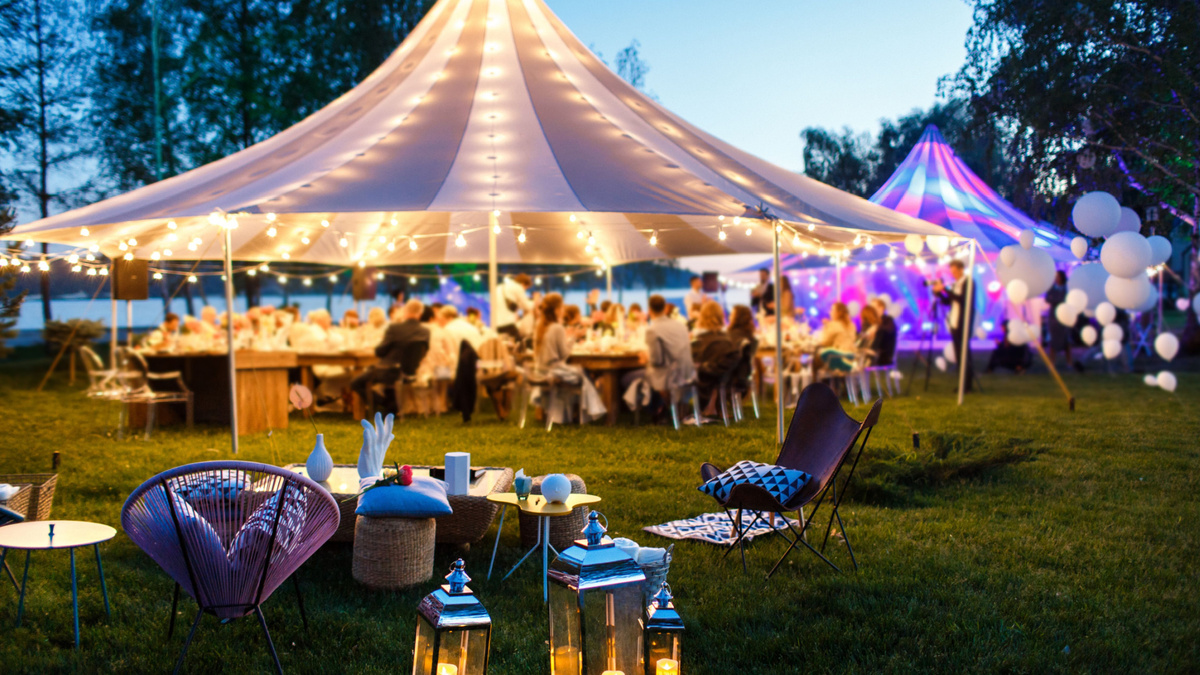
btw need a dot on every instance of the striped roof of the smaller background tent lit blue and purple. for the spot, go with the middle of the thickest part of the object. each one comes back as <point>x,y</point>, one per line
<point>935,186</point>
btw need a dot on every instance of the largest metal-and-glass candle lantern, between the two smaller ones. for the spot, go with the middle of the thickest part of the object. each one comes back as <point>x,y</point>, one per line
<point>596,608</point>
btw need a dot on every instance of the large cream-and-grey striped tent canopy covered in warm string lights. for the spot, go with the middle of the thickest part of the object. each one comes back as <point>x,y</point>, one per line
<point>491,116</point>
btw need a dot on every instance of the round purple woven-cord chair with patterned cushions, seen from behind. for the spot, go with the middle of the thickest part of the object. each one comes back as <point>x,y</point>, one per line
<point>230,534</point>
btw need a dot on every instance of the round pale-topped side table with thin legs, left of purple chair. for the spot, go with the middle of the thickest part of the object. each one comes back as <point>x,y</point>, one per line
<point>55,535</point>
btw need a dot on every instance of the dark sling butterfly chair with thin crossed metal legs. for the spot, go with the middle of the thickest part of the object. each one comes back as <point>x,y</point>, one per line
<point>819,441</point>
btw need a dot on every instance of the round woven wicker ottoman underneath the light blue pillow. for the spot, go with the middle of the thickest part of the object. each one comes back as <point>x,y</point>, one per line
<point>393,553</point>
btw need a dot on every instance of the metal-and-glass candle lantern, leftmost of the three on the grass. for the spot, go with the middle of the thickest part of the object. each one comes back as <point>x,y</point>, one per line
<point>454,632</point>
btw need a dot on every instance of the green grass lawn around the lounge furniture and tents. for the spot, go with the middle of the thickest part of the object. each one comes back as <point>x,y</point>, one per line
<point>1079,558</point>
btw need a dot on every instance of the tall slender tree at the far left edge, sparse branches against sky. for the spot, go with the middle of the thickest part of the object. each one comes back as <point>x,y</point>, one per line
<point>43,57</point>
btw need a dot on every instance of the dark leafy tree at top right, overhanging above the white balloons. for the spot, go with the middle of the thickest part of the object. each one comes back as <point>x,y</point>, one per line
<point>1095,91</point>
